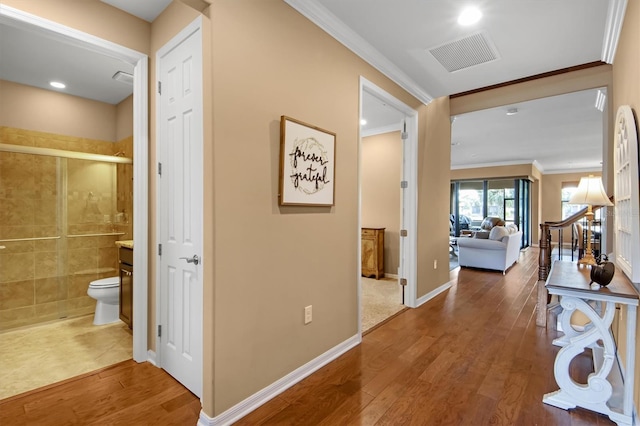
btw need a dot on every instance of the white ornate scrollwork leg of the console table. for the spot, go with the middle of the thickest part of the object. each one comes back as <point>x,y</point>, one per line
<point>595,394</point>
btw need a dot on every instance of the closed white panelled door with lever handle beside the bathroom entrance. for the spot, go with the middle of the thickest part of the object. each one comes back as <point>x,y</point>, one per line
<point>180,207</point>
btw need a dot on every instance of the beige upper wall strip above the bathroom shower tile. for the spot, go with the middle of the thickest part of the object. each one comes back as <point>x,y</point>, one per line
<point>26,107</point>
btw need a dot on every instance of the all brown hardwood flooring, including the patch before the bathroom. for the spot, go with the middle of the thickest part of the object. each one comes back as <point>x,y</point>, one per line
<point>471,356</point>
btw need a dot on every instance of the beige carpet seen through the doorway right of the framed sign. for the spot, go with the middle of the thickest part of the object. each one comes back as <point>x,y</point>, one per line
<point>380,299</point>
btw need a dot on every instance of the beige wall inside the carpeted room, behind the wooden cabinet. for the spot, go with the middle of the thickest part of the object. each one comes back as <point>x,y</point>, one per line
<point>380,175</point>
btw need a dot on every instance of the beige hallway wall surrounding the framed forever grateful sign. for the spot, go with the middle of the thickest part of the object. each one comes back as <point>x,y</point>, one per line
<point>263,60</point>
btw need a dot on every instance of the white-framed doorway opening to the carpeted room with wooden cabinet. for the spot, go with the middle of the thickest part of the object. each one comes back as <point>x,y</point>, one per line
<point>388,188</point>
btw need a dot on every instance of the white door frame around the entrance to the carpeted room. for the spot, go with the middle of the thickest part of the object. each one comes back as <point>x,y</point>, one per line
<point>408,263</point>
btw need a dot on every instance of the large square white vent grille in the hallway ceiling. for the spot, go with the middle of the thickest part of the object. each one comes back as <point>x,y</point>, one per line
<point>466,52</point>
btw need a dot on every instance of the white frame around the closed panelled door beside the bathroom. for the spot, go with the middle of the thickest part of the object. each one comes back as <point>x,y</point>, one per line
<point>186,32</point>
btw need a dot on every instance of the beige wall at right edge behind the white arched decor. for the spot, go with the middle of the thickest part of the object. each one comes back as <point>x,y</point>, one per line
<point>626,85</point>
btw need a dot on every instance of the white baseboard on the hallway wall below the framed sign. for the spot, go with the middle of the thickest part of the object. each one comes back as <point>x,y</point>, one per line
<point>256,400</point>
